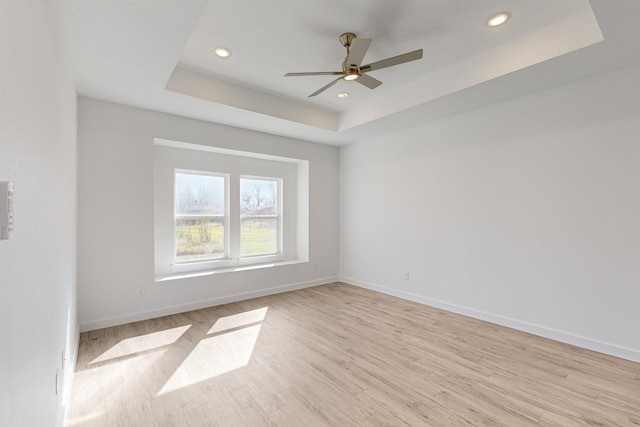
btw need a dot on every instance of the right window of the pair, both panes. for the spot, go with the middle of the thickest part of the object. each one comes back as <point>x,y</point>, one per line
<point>259,217</point>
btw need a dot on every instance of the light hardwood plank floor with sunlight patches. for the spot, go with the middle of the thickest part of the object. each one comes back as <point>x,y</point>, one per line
<point>338,355</point>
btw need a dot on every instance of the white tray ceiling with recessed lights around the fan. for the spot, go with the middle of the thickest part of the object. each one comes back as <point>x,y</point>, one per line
<point>158,54</point>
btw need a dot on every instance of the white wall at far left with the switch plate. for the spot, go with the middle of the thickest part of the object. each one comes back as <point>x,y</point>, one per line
<point>38,262</point>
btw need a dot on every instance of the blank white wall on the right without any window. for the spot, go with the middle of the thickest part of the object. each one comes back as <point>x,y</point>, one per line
<point>524,213</point>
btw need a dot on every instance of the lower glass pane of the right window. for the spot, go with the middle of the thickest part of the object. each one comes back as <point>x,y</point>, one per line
<point>258,236</point>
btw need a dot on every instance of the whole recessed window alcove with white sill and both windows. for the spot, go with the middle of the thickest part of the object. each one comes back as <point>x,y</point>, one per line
<point>226,210</point>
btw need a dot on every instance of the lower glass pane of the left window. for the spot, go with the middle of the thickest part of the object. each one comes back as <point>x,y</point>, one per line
<point>199,238</point>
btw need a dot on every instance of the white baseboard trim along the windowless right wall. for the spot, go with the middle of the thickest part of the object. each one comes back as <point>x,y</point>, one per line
<point>556,335</point>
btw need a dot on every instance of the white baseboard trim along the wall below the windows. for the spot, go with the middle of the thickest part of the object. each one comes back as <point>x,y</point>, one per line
<point>196,305</point>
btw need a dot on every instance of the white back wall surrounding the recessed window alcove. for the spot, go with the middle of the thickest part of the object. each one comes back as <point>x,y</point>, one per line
<point>115,216</point>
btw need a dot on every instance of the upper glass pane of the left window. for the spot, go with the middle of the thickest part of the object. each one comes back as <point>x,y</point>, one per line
<point>199,194</point>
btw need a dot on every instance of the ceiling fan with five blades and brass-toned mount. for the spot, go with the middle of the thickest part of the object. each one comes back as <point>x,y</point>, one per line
<point>351,68</point>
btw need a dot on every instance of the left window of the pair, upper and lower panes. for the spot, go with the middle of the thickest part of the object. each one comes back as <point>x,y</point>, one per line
<point>200,216</point>
